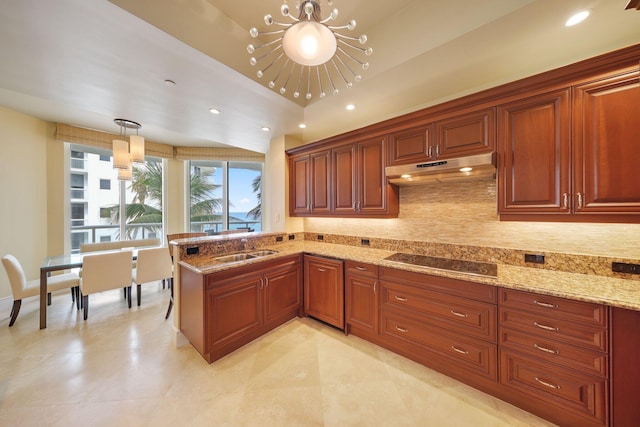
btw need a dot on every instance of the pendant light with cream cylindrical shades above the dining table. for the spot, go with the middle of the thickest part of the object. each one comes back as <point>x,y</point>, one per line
<point>126,153</point>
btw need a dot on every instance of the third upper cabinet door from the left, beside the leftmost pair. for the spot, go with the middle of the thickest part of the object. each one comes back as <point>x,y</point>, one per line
<point>344,188</point>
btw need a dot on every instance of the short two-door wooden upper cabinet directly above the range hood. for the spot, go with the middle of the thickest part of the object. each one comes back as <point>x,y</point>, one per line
<point>460,135</point>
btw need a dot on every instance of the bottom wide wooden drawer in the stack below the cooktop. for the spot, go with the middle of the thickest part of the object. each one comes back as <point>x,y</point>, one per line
<point>476,355</point>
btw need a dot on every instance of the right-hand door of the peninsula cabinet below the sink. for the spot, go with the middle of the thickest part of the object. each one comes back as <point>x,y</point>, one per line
<point>282,293</point>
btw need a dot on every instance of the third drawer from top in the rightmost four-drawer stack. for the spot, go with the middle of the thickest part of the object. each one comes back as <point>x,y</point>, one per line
<point>587,361</point>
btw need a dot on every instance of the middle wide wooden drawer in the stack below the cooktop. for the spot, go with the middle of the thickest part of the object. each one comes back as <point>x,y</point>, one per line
<point>454,313</point>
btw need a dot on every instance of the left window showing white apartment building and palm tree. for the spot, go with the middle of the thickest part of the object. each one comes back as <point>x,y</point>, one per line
<point>97,216</point>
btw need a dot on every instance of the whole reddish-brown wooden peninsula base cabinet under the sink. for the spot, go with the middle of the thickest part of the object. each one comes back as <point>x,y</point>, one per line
<point>223,311</point>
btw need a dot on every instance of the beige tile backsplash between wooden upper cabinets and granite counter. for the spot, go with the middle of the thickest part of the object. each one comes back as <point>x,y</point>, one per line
<point>465,213</point>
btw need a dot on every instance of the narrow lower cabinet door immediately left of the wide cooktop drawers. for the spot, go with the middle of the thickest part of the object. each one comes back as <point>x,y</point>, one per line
<point>361,304</point>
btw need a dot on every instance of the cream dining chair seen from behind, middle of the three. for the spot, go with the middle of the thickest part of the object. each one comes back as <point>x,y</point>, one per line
<point>103,272</point>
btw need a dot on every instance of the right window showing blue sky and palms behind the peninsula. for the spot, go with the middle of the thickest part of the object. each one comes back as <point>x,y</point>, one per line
<point>225,196</point>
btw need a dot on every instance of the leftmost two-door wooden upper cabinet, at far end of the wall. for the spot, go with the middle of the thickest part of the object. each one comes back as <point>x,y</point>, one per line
<point>309,176</point>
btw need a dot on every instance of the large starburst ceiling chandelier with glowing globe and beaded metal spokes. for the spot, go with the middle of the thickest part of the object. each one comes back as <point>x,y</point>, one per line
<point>307,55</point>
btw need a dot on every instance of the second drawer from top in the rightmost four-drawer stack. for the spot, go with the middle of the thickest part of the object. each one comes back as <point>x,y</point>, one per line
<point>551,328</point>
